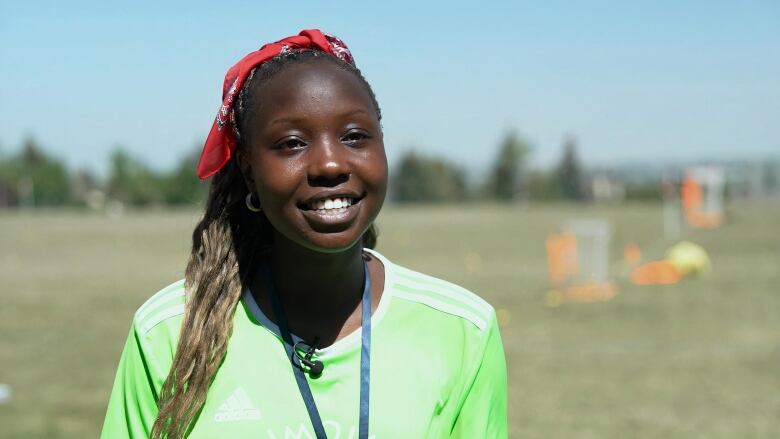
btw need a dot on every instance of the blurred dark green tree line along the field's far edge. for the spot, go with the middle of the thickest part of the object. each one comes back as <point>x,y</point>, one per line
<point>32,177</point>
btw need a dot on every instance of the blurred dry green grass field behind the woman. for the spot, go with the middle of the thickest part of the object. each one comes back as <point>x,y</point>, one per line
<point>698,359</point>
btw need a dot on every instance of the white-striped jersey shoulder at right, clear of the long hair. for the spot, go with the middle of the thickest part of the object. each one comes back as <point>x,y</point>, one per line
<point>436,295</point>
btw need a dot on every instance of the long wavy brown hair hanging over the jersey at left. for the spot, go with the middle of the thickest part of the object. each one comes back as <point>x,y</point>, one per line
<point>224,241</point>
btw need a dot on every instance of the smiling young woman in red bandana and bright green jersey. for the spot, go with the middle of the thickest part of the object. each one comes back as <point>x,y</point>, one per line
<point>287,324</point>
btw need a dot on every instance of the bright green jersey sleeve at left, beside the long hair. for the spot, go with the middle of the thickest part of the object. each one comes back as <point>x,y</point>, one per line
<point>132,407</point>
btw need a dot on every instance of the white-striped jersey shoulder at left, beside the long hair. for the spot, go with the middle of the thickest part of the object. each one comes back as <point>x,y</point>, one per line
<point>165,307</point>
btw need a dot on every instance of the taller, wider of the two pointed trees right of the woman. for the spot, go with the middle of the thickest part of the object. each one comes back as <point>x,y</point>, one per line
<point>506,180</point>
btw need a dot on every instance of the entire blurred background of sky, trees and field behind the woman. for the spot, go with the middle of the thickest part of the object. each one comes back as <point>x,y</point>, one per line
<point>606,174</point>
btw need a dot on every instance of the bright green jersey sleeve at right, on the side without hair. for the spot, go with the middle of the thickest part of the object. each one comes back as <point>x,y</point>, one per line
<point>484,410</point>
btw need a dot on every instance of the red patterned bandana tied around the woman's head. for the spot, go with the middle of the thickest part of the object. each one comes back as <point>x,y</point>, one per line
<point>221,141</point>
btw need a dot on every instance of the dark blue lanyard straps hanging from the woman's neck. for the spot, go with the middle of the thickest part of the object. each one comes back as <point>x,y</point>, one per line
<point>300,378</point>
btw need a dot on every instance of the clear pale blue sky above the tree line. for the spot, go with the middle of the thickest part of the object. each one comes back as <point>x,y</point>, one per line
<point>633,81</point>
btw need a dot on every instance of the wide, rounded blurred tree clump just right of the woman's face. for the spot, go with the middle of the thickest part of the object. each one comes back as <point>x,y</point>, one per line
<point>428,179</point>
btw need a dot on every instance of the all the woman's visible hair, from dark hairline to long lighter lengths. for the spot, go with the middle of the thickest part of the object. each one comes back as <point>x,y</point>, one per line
<point>225,244</point>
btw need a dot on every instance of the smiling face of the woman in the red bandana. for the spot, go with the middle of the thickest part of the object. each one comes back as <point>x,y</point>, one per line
<point>315,156</point>
